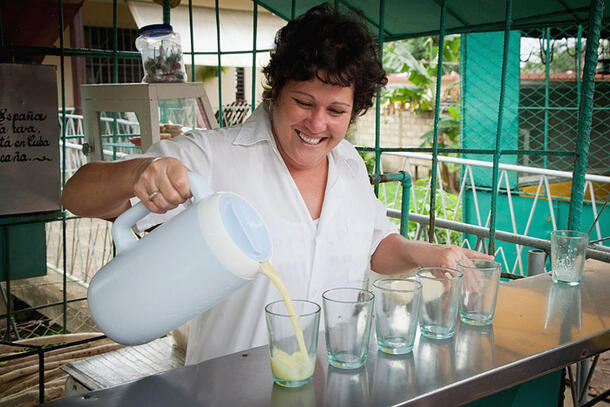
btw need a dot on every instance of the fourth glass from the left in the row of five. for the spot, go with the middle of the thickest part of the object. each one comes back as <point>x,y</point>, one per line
<point>440,298</point>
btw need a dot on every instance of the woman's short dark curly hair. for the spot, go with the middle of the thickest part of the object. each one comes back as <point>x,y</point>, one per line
<point>333,47</point>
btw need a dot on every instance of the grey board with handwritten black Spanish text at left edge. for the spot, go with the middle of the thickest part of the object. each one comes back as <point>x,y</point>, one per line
<point>29,139</point>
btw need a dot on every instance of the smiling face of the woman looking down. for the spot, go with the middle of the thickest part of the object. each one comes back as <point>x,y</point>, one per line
<point>309,119</point>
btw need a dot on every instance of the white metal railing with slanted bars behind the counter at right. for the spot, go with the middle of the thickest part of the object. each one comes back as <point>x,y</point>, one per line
<point>519,225</point>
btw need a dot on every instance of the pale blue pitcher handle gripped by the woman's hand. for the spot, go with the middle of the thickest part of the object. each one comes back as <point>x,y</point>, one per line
<point>121,229</point>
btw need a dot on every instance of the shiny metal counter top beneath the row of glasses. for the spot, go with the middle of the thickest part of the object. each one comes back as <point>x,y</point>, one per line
<point>539,327</point>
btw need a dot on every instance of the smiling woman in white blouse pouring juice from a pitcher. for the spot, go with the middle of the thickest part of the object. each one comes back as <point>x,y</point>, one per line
<point>291,162</point>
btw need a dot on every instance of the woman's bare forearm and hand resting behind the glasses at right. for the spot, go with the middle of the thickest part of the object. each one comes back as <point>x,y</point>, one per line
<point>398,255</point>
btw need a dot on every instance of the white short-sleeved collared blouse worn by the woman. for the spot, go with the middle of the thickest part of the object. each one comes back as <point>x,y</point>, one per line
<point>310,258</point>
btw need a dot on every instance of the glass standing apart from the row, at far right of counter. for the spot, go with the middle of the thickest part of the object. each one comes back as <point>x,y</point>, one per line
<point>568,248</point>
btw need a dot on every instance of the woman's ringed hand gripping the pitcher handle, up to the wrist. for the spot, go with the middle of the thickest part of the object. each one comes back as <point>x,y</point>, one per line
<point>161,184</point>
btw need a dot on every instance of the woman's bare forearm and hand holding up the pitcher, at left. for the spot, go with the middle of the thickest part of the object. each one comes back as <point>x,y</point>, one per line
<point>103,189</point>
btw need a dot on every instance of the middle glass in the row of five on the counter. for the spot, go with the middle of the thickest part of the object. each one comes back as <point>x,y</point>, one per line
<point>396,313</point>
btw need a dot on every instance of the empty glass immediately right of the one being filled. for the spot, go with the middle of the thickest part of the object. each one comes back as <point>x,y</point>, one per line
<point>347,318</point>
